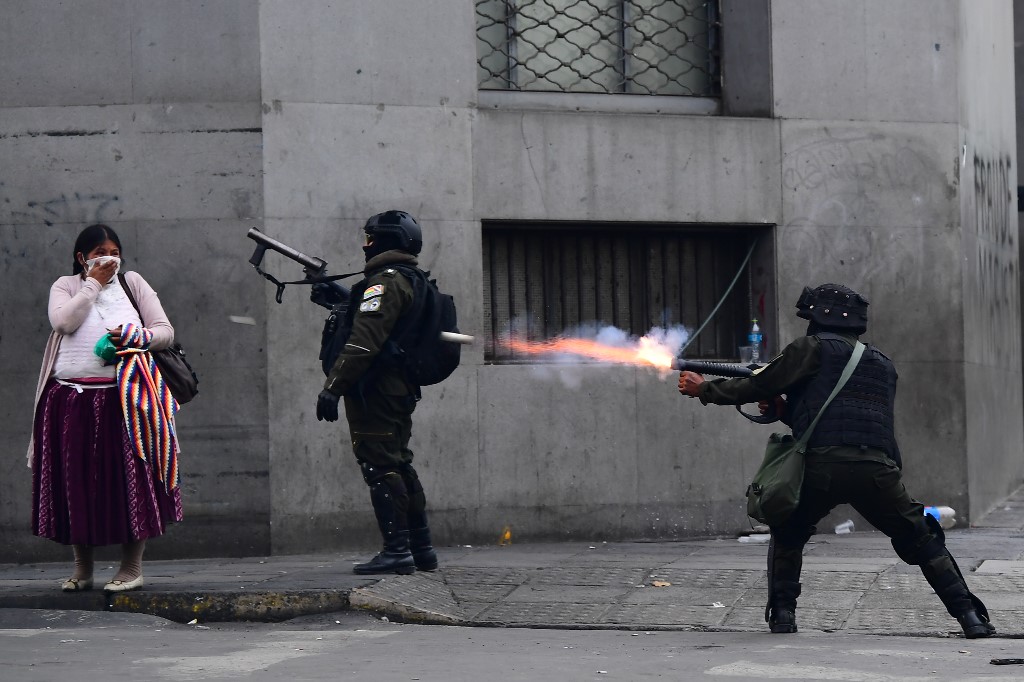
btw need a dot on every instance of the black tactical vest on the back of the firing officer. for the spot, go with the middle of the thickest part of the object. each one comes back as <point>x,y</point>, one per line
<point>863,413</point>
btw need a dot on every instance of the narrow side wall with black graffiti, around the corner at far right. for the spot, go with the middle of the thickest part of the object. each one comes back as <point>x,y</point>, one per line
<point>991,253</point>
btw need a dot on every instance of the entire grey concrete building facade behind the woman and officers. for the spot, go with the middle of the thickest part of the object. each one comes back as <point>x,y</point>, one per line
<point>872,143</point>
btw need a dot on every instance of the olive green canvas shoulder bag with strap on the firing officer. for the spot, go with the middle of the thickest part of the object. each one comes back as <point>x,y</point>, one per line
<point>775,494</point>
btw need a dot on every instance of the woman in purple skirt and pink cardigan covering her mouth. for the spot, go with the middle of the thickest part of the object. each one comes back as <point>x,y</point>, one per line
<point>104,451</point>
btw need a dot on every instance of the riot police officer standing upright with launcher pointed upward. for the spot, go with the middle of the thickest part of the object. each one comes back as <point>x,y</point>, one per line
<point>379,400</point>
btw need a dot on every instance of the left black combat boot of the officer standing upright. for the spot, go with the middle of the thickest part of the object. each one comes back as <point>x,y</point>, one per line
<point>391,503</point>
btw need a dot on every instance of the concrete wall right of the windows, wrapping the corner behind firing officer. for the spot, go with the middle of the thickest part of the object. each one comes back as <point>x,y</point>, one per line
<point>877,195</point>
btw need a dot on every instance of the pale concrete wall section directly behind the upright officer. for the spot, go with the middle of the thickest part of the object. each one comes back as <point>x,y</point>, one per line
<point>369,106</point>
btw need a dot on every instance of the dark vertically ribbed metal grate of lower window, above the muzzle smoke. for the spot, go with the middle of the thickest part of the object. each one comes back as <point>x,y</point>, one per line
<point>542,280</point>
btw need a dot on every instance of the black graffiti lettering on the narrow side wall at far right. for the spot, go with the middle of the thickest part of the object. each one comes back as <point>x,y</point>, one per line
<point>996,258</point>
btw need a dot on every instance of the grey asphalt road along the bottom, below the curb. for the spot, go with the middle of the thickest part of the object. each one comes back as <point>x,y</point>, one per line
<point>89,647</point>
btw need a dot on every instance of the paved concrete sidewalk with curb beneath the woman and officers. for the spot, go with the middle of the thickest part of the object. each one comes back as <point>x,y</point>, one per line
<point>851,583</point>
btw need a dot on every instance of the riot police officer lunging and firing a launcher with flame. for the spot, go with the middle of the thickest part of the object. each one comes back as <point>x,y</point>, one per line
<point>852,455</point>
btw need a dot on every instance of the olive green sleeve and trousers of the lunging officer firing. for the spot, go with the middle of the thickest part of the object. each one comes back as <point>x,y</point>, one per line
<point>867,479</point>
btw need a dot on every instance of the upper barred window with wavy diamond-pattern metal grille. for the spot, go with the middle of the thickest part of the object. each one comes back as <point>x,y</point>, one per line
<point>664,48</point>
